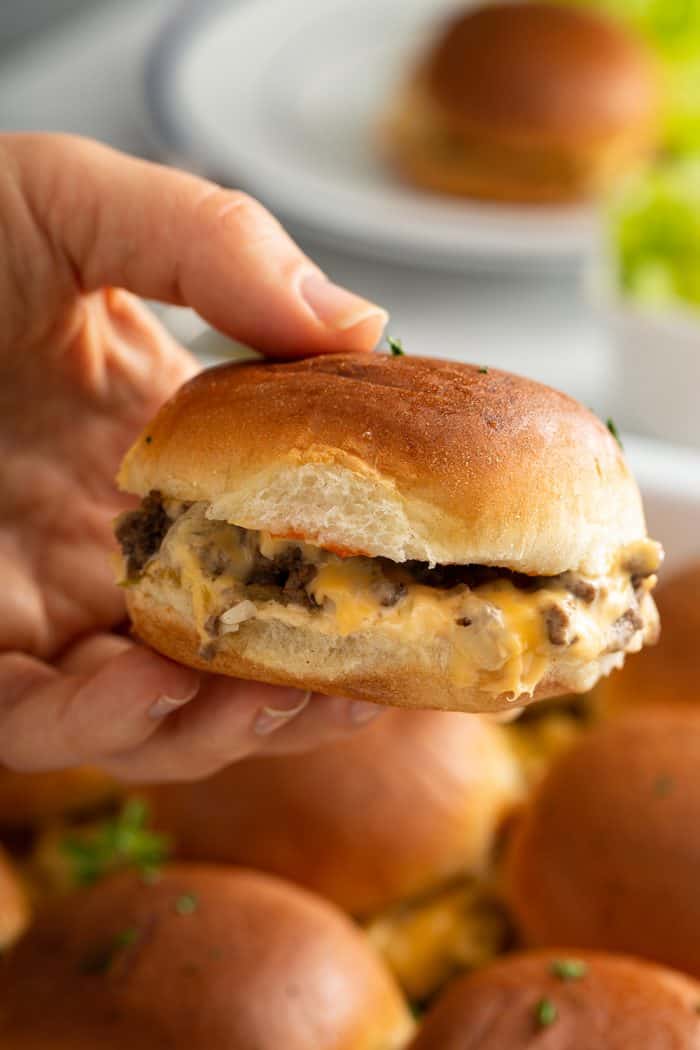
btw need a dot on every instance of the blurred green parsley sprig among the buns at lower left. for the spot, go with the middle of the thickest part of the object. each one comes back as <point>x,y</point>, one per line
<point>123,842</point>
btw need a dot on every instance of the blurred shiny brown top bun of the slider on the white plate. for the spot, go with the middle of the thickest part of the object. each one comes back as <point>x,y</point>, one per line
<point>541,71</point>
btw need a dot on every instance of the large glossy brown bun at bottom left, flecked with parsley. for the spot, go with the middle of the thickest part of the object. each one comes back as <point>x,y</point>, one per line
<point>204,959</point>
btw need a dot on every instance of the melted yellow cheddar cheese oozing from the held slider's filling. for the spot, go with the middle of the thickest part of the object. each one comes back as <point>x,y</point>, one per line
<point>494,636</point>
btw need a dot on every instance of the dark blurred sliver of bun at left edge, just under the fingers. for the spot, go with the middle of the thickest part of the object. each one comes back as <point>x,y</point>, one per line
<point>32,799</point>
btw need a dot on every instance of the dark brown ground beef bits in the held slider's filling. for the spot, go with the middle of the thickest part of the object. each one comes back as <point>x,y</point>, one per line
<point>287,577</point>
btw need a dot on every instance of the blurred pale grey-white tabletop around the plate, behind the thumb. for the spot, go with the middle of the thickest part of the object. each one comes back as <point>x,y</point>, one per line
<point>87,77</point>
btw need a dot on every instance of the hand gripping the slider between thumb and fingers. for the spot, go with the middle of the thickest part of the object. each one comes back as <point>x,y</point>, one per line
<point>83,367</point>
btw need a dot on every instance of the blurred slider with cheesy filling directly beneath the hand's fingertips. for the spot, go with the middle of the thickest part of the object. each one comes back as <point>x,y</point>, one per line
<point>398,825</point>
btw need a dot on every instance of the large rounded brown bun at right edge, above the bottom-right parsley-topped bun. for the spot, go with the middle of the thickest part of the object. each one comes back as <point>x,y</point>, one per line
<point>608,854</point>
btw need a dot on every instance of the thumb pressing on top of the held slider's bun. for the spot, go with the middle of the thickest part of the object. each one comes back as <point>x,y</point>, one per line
<point>168,236</point>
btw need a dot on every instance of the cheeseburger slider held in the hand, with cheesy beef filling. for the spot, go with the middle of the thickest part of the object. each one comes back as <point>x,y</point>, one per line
<point>408,531</point>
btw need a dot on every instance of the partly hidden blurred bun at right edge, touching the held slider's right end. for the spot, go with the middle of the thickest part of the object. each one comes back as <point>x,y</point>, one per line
<point>669,674</point>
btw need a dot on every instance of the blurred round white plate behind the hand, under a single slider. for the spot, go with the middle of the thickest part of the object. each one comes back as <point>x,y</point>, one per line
<point>283,98</point>
